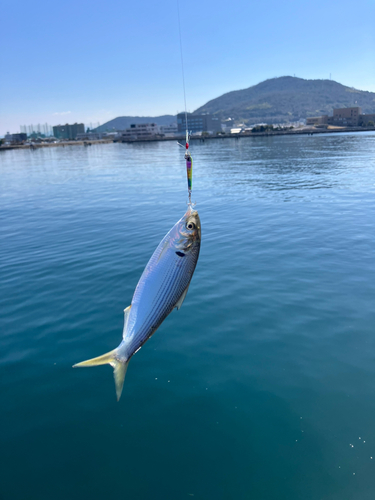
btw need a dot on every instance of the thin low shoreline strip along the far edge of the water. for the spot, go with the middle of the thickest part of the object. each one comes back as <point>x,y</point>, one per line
<point>312,131</point>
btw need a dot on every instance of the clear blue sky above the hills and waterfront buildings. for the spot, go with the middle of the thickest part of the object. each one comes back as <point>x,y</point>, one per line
<point>90,61</point>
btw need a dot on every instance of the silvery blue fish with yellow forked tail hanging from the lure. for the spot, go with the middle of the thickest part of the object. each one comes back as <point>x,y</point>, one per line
<point>161,288</point>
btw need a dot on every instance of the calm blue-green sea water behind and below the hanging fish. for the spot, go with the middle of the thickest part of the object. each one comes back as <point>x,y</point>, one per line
<point>261,387</point>
